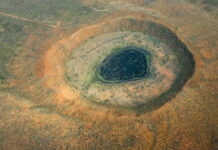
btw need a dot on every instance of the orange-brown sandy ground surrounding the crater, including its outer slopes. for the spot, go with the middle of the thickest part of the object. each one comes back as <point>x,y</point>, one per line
<point>39,110</point>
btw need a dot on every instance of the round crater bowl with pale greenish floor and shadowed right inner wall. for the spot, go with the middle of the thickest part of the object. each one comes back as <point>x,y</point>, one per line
<point>170,65</point>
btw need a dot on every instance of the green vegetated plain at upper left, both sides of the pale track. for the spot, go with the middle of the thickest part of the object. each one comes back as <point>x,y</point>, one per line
<point>14,32</point>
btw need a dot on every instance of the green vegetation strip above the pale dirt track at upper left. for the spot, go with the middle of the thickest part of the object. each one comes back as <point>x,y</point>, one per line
<point>46,10</point>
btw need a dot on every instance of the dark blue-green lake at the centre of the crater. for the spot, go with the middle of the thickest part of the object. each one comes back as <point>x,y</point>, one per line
<point>127,64</point>
